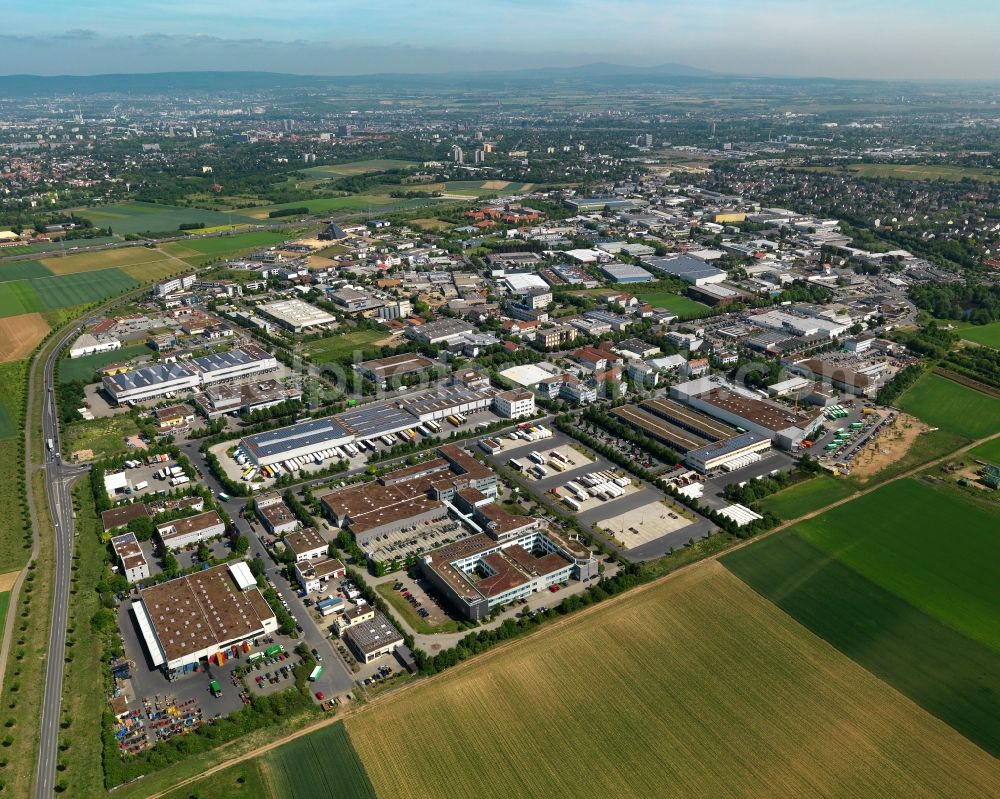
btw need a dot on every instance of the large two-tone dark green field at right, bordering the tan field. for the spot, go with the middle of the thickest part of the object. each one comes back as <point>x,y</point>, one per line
<point>903,580</point>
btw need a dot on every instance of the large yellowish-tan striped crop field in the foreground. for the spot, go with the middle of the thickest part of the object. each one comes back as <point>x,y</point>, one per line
<point>695,687</point>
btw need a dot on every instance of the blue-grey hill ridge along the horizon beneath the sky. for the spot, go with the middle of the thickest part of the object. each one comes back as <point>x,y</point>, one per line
<point>161,82</point>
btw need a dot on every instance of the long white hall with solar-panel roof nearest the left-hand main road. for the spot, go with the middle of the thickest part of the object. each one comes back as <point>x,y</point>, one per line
<point>158,380</point>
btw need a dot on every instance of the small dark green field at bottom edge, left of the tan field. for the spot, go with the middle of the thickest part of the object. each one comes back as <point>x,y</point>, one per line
<point>323,764</point>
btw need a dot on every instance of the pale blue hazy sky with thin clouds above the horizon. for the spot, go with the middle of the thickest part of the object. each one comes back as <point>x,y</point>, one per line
<point>837,38</point>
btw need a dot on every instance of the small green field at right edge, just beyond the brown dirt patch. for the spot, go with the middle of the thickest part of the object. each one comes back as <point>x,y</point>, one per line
<point>943,403</point>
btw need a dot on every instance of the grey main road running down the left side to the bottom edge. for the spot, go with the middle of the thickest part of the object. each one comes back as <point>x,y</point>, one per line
<point>59,478</point>
